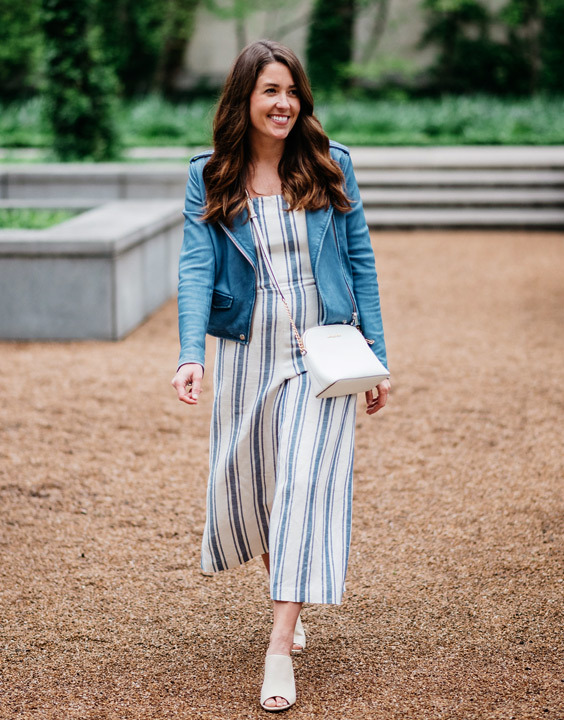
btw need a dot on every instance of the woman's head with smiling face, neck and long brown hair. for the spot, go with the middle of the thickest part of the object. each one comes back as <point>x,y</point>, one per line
<point>310,178</point>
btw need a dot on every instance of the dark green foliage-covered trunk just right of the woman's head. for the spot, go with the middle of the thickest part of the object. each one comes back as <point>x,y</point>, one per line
<point>330,43</point>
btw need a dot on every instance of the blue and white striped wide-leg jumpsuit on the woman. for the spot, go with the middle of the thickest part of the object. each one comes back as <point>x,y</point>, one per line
<point>280,459</point>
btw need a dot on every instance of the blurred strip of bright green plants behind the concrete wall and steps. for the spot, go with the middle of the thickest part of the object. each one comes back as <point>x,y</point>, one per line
<point>450,120</point>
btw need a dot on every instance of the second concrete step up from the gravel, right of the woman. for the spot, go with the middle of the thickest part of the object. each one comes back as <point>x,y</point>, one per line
<point>462,197</point>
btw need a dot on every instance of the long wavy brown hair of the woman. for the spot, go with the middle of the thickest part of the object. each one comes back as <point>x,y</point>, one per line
<point>311,179</point>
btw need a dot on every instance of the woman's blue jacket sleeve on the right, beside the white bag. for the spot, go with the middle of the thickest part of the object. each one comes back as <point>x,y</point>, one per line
<point>361,256</point>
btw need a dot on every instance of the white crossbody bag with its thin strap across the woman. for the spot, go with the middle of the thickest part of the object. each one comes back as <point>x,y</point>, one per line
<point>337,357</point>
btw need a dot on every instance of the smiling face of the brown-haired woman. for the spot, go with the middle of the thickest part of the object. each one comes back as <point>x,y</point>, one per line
<point>274,104</point>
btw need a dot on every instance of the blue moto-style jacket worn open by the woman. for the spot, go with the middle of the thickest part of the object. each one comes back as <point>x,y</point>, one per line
<point>217,270</point>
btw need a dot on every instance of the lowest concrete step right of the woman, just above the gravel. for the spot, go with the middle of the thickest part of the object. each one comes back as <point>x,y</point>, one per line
<point>501,217</point>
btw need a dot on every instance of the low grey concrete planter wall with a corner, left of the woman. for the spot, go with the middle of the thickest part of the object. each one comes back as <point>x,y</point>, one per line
<point>95,276</point>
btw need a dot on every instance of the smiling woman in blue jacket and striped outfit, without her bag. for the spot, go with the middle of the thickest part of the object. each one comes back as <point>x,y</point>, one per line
<point>280,480</point>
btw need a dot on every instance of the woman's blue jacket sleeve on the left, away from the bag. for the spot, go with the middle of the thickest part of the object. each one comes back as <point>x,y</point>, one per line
<point>196,273</point>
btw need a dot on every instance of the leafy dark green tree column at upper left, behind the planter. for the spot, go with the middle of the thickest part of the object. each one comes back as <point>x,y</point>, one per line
<point>80,90</point>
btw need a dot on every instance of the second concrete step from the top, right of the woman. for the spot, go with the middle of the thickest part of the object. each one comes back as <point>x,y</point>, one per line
<point>461,178</point>
